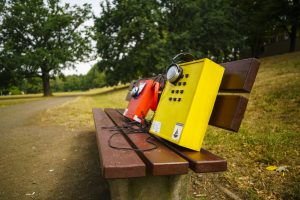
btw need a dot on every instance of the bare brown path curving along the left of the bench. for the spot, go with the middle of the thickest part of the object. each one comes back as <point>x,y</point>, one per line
<point>45,161</point>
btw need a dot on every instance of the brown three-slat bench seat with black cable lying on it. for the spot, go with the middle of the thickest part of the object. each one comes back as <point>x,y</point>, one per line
<point>166,159</point>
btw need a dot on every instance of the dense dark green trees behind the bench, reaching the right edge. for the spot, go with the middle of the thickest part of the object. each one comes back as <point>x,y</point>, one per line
<point>137,38</point>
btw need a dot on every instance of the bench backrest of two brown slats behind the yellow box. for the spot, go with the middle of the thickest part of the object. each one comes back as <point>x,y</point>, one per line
<point>230,105</point>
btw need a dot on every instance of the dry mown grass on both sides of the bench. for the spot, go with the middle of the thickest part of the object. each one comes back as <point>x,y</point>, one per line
<point>269,134</point>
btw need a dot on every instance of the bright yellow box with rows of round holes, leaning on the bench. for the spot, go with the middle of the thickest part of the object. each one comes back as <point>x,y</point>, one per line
<point>184,108</point>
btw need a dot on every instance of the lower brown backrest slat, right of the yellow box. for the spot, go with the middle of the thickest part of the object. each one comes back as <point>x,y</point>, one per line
<point>228,112</point>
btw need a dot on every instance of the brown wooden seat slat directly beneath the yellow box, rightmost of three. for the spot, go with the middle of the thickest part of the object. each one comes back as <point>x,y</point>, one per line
<point>200,162</point>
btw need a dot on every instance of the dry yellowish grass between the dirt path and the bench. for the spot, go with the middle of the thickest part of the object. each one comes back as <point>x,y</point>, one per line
<point>79,111</point>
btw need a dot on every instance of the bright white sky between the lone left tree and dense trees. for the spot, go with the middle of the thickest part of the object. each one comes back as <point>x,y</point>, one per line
<point>83,68</point>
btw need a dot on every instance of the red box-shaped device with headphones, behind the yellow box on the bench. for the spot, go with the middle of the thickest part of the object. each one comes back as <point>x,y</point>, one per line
<point>144,97</point>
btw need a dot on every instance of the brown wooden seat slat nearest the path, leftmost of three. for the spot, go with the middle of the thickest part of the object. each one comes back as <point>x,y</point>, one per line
<point>115,163</point>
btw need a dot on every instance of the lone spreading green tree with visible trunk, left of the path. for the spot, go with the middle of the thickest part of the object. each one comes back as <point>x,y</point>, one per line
<point>40,38</point>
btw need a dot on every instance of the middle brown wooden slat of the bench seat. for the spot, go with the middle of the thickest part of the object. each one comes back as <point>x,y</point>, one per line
<point>161,161</point>
